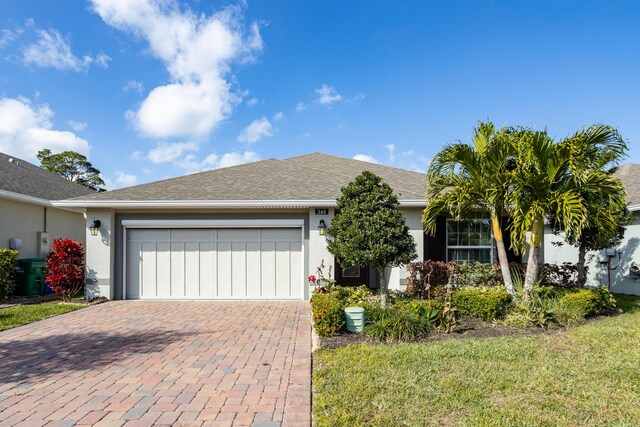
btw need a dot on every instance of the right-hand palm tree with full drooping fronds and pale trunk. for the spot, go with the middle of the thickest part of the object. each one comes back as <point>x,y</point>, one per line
<point>555,179</point>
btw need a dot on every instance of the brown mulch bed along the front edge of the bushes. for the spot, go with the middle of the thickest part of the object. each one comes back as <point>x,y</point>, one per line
<point>469,327</point>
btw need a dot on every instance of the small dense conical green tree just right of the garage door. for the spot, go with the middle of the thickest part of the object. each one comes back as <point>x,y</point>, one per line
<point>370,229</point>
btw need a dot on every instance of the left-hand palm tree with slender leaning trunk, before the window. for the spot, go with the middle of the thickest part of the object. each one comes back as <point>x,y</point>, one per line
<point>466,177</point>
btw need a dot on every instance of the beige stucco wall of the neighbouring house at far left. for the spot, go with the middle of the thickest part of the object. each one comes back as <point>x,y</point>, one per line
<point>24,220</point>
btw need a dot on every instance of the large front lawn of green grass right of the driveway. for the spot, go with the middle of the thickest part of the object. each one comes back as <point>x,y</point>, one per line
<point>585,376</point>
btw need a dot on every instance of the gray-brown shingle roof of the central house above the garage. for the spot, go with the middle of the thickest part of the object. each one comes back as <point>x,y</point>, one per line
<point>289,182</point>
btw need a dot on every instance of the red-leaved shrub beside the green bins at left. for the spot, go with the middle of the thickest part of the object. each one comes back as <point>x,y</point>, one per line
<point>65,268</point>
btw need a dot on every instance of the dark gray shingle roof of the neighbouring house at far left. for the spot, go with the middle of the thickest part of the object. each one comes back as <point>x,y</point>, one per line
<point>22,177</point>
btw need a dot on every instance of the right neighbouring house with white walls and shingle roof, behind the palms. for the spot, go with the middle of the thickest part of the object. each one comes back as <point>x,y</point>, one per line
<point>612,264</point>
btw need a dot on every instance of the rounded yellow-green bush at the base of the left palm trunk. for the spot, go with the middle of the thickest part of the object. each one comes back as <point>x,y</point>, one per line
<point>485,303</point>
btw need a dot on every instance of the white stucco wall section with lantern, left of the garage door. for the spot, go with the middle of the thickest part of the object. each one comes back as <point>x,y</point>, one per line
<point>100,254</point>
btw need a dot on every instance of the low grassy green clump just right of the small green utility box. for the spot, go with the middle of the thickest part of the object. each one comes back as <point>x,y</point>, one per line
<point>396,325</point>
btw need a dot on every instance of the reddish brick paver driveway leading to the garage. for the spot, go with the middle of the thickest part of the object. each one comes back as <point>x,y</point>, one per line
<point>160,363</point>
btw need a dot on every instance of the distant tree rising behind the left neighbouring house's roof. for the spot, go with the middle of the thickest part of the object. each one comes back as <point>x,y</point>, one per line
<point>72,166</point>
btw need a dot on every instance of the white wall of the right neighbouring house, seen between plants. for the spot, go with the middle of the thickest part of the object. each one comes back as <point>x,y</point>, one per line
<point>597,275</point>
